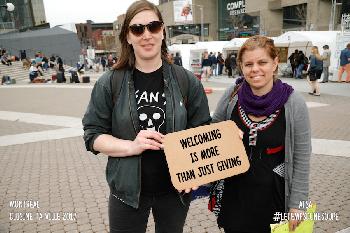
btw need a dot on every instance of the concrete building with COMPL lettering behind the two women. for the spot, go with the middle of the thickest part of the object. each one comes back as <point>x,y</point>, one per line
<point>190,21</point>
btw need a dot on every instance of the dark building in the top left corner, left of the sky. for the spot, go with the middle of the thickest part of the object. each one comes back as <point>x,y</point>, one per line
<point>28,14</point>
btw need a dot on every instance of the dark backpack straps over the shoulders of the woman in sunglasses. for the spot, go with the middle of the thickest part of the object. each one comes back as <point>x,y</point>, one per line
<point>178,71</point>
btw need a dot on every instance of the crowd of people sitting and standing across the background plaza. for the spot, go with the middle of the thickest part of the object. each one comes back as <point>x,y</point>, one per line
<point>212,64</point>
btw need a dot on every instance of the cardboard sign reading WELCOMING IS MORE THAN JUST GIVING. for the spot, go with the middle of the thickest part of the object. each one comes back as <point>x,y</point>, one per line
<point>205,154</point>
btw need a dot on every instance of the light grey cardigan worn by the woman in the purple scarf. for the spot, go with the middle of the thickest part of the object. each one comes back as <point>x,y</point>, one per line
<point>297,144</point>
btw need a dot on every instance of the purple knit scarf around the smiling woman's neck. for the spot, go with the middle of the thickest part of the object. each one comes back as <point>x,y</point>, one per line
<point>263,105</point>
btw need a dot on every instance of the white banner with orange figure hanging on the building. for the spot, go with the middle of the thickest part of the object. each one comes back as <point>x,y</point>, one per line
<point>183,11</point>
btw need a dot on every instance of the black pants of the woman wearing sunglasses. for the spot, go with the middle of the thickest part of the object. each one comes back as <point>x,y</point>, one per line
<point>168,212</point>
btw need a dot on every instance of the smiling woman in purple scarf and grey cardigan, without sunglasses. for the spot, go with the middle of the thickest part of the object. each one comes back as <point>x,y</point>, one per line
<point>277,138</point>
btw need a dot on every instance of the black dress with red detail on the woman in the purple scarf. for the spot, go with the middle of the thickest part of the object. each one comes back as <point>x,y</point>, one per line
<point>254,196</point>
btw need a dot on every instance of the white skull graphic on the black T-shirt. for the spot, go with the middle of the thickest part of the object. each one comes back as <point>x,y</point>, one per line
<point>151,117</point>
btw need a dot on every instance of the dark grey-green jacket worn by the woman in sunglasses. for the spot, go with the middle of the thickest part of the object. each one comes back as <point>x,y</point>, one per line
<point>121,120</point>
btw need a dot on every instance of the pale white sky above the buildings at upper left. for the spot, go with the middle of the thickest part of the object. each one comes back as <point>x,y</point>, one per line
<point>78,11</point>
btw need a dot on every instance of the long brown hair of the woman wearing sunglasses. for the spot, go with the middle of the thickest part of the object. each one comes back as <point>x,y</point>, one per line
<point>127,56</point>
